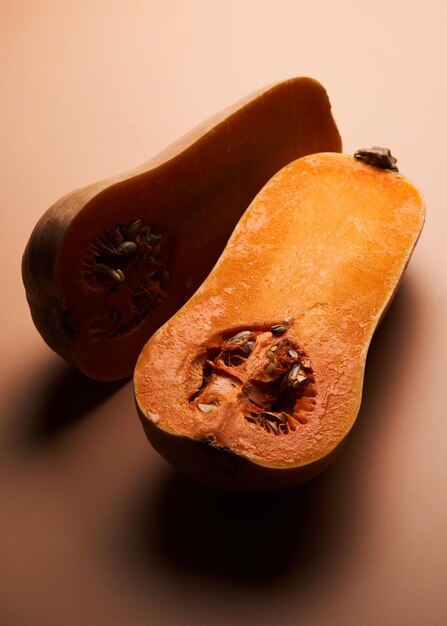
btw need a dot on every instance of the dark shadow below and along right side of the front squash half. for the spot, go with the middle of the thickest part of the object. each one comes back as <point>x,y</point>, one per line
<point>277,539</point>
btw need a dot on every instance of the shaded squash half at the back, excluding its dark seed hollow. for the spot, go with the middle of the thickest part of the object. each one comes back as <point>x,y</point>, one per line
<point>193,193</point>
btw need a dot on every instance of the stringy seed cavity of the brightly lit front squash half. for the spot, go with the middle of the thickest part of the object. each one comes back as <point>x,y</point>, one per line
<point>269,380</point>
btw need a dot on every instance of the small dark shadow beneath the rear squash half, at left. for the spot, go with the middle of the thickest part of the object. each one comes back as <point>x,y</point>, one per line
<point>58,397</point>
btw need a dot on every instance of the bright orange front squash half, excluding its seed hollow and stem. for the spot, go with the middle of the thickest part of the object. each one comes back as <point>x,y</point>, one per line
<point>324,246</point>
